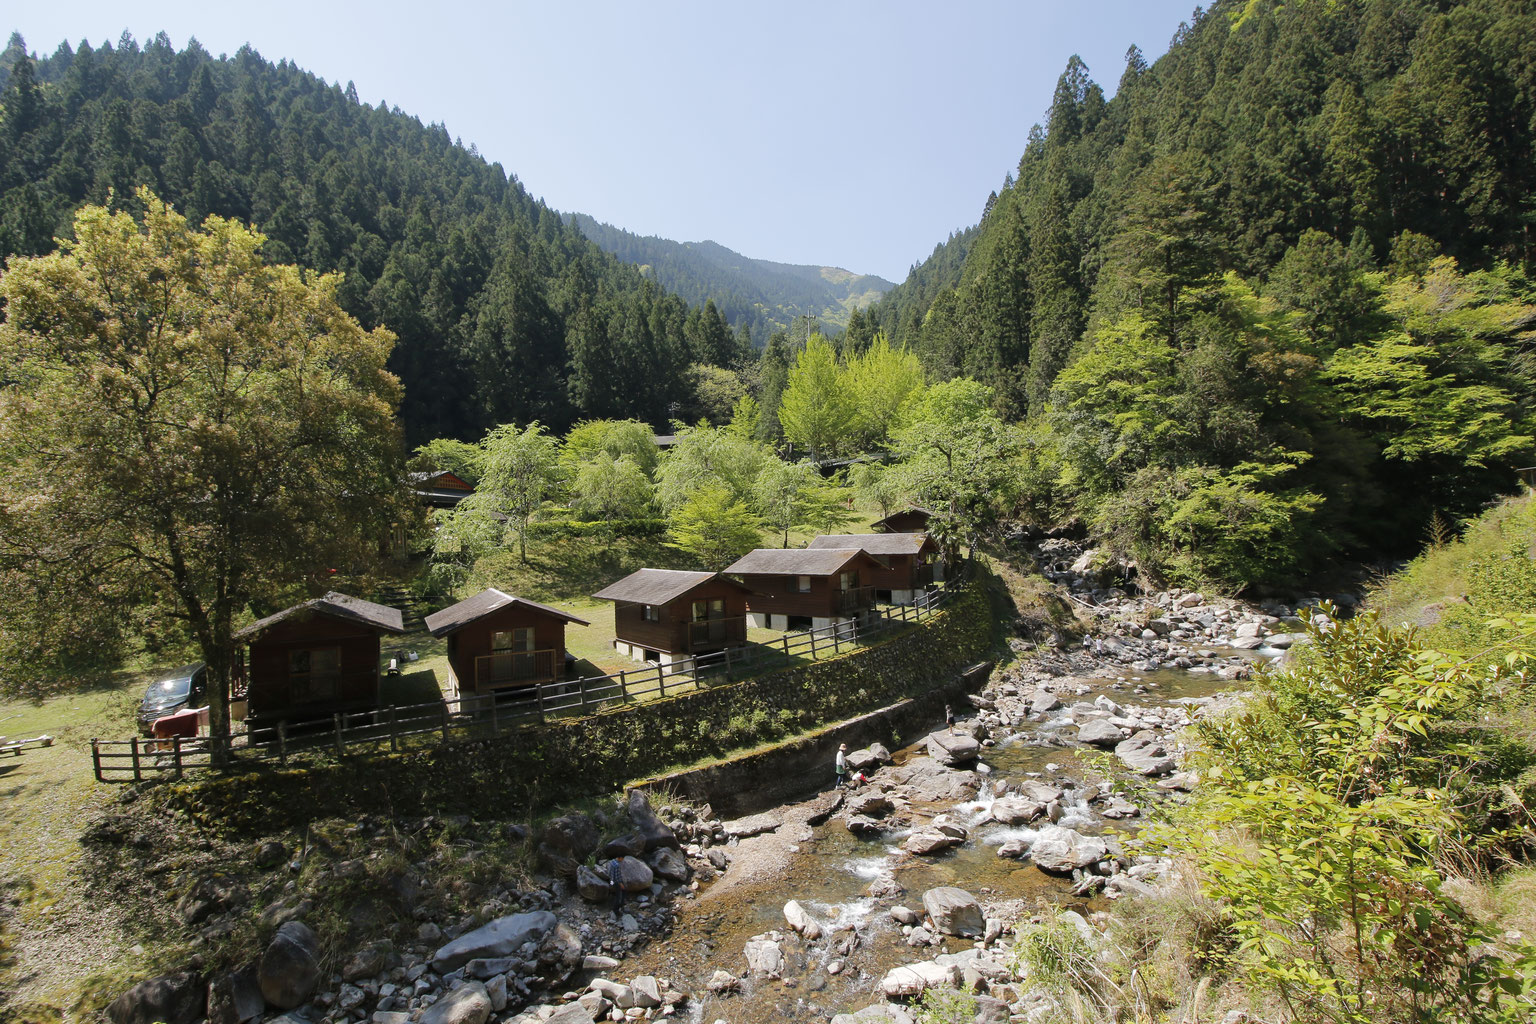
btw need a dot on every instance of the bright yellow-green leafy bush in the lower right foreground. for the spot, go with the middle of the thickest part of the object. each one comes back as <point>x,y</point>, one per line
<point>1340,799</point>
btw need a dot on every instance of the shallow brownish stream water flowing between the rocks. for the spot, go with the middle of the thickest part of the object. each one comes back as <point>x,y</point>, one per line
<point>832,874</point>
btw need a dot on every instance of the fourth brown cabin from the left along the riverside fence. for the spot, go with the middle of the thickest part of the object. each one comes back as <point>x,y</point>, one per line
<point>807,587</point>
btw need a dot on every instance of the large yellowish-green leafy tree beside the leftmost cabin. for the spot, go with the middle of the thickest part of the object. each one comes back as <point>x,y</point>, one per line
<point>187,423</point>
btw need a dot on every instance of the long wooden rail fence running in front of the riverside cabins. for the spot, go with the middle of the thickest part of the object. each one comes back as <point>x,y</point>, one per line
<point>509,710</point>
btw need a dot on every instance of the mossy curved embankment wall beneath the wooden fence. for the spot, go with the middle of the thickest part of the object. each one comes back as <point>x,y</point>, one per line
<point>517,775</point>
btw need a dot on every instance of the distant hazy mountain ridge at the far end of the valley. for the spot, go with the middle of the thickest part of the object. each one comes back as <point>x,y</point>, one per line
<point>761,294</point>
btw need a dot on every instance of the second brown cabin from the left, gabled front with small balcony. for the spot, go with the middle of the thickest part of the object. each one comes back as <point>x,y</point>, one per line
<point>498,641</point>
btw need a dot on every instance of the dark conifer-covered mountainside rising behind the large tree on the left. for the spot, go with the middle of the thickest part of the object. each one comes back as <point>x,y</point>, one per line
<point>505,312</point>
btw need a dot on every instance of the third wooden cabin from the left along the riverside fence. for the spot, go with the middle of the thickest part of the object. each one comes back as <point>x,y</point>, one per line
<point>672,615</point>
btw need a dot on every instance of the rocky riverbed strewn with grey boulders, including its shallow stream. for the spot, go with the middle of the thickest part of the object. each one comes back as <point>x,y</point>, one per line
<point>918,876</point>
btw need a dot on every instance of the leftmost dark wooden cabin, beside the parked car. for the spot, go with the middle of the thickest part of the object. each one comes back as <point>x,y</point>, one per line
<point>316,659</point>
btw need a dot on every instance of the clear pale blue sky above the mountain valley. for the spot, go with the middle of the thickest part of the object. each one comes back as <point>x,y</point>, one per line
<point>850,134</point>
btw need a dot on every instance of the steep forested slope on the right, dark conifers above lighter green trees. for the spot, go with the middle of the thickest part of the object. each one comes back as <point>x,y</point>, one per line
<point>1277,286</point>
